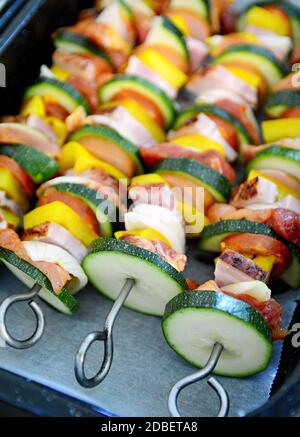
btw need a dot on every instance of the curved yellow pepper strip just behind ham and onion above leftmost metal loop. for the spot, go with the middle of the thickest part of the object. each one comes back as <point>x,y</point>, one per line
<point>63,215</point>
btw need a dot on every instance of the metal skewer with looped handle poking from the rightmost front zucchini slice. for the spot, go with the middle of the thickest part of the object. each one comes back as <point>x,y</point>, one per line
<point>198,376</point>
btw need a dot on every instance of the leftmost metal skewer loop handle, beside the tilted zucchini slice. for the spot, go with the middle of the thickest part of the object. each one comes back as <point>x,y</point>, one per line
<point>40,320</point>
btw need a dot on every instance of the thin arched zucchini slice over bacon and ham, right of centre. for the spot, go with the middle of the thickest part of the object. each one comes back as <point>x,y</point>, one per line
<point>190,113</point>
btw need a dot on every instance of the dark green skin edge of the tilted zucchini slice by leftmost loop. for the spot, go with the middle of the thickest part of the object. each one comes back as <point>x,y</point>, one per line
<point>64,296</point>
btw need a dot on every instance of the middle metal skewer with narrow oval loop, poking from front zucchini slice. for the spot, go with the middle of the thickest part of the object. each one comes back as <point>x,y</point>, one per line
<point>107,337</point>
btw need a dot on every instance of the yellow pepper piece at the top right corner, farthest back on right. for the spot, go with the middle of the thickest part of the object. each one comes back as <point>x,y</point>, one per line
<point>260,17</point>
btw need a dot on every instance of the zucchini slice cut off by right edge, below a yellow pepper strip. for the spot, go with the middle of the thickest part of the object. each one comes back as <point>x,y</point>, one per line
<point>277,158</point>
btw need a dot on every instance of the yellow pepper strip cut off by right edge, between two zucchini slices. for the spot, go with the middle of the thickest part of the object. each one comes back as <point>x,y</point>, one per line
<point>274,130</point>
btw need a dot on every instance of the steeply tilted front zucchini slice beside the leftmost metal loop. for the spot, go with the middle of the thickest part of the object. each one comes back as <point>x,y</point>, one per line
<point>30,275</point>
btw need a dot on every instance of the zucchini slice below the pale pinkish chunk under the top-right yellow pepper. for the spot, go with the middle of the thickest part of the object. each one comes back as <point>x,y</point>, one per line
<point>263,59</point>
